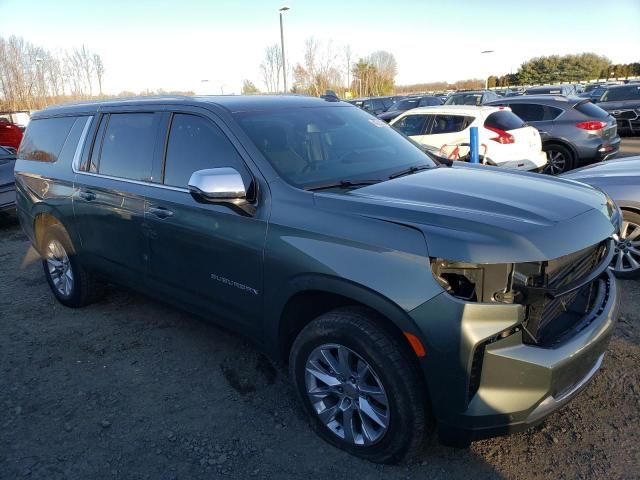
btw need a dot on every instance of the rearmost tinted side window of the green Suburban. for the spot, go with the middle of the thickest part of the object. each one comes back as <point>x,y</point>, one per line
<point>44,138</point>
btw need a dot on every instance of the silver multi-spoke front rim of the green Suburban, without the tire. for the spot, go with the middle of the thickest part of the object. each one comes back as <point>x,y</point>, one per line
<point>347,395</point>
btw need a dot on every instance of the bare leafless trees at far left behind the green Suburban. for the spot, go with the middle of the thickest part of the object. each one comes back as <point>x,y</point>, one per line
<point>32,77</point>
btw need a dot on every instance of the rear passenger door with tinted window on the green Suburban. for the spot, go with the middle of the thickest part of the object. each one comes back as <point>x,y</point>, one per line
<point>110,191</point>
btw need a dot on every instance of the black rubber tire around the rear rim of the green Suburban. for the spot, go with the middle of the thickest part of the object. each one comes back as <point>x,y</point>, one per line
<point>86,288</point>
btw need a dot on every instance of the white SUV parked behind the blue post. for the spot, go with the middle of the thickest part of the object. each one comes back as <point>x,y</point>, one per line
<point>505,140</point>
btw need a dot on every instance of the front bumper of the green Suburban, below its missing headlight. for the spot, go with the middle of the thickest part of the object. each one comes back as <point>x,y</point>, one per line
<point>520,384</point>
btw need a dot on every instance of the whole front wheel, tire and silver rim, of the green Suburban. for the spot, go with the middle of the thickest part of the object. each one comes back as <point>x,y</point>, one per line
<point>392,375</point>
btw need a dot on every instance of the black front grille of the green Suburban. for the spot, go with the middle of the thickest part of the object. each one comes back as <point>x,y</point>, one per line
<point>549,318</point>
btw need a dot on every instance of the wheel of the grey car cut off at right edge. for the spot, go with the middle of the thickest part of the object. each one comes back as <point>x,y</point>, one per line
<point>626,261</point>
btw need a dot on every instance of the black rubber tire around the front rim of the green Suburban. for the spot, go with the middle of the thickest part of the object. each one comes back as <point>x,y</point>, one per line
<point>358,330</point>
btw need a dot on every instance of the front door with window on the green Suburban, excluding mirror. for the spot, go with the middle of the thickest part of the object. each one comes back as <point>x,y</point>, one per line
<point>205,256</point>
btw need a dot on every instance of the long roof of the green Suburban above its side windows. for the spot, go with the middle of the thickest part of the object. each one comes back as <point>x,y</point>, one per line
<point>232,103</point>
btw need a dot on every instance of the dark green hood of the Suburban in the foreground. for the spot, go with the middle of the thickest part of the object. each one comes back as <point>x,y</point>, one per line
<point>490,215</point>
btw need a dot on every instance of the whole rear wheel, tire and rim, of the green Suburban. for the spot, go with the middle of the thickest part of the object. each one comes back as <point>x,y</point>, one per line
<point>71,284</point>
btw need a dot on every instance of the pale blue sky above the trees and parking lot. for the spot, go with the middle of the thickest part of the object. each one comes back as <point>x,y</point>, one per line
<point>175,44</point>
